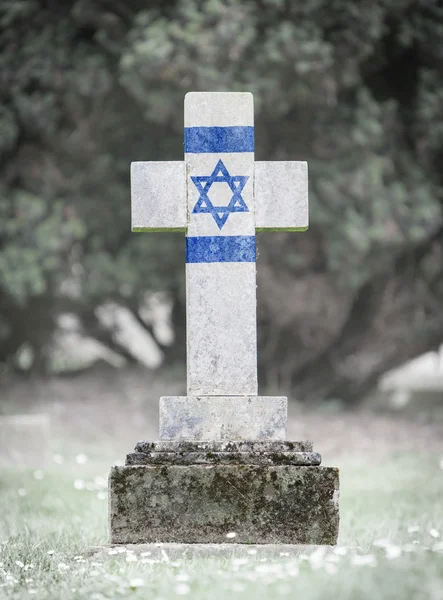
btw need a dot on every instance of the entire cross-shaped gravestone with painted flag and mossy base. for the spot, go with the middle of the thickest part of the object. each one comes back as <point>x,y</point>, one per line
<point>223,464</point>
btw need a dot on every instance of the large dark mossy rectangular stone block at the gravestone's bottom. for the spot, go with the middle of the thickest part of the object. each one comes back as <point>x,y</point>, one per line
<point>190,504</point>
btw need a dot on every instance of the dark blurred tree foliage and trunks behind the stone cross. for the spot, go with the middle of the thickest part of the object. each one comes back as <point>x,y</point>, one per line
<point>354,88</point>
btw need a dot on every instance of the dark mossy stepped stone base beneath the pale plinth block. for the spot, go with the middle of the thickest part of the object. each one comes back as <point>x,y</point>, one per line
<point>269,492</point>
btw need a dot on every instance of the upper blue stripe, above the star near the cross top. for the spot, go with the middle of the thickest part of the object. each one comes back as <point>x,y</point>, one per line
<point>219,139</point>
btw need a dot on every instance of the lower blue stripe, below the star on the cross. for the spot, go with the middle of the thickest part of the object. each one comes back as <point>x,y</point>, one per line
<point>221,248</point>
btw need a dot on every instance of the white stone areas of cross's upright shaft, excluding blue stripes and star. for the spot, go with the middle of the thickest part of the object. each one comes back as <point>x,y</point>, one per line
<point>221,297</point>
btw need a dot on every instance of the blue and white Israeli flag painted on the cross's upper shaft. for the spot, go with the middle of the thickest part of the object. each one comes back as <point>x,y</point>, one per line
<point>219,153</point>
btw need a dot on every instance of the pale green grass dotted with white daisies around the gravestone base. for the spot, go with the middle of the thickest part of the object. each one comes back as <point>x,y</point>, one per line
<point>391,507</point>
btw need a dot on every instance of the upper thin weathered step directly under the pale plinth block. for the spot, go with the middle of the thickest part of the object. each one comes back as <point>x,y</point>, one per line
<point>230,446</point>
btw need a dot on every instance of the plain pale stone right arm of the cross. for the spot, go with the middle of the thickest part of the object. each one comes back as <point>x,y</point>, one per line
<point>281,195</point>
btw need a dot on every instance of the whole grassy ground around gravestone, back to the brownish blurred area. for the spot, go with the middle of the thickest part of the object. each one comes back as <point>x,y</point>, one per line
<point>52,515</point>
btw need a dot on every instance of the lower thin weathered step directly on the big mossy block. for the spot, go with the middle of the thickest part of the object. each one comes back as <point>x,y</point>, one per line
<point>212,458</point>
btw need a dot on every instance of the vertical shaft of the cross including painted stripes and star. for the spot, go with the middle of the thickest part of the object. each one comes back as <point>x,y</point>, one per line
<point>220,245</point>
